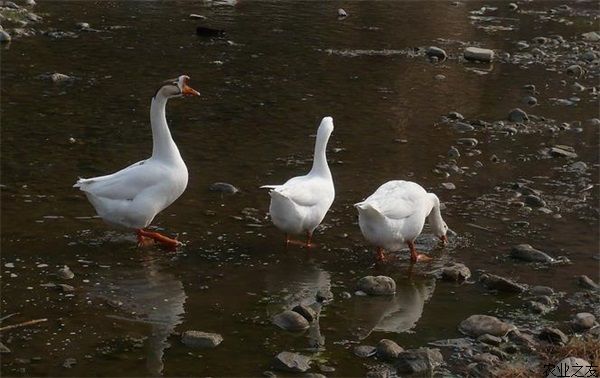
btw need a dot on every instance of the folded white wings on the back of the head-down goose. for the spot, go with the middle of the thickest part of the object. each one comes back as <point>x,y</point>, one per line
<point>397,199</point>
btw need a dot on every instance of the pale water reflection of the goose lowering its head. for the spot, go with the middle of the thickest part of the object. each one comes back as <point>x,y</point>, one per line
<point>398,314</point>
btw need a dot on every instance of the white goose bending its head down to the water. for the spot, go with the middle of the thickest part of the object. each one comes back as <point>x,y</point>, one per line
<point>395,214</point>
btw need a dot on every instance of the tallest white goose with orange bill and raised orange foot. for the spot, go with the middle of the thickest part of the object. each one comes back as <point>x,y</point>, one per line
<point>133,196</point>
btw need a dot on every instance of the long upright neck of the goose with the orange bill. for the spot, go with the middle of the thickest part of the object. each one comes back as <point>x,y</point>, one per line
<point>163,146</point>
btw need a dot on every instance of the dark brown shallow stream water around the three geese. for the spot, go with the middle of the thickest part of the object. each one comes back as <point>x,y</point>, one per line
<point>282,66</point>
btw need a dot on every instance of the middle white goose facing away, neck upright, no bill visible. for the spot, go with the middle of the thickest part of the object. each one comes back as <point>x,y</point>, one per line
<point>299,205</point>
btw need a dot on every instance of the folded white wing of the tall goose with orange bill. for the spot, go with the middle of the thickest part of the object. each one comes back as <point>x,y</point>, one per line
<point>126,183</point>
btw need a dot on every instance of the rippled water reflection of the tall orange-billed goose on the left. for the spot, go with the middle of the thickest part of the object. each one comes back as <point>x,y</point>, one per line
<point>149,295</point>
